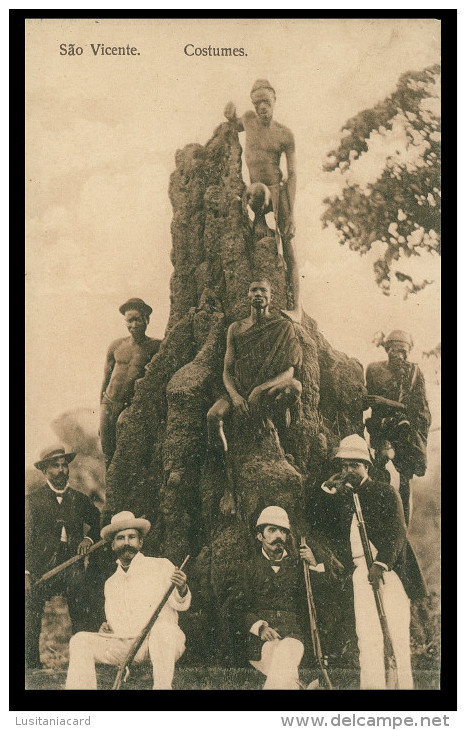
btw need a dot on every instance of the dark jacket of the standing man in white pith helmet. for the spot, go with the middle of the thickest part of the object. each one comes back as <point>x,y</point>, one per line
<point>332,514</point>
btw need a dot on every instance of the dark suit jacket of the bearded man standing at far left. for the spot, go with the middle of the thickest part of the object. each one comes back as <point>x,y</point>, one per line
<point>44,520</point>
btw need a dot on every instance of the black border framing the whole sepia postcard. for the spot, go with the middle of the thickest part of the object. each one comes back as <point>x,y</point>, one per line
<point>444,699</point>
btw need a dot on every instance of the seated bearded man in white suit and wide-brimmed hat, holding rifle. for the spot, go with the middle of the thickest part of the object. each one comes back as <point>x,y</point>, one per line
<point>132,594</point>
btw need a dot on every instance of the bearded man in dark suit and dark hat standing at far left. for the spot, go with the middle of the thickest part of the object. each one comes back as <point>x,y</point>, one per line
<point>60,523</point>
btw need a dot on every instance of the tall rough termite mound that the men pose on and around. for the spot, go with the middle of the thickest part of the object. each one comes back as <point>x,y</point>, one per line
<point>162,467</point>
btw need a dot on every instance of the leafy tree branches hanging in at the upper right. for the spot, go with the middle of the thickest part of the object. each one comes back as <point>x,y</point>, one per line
<point>401,208</point>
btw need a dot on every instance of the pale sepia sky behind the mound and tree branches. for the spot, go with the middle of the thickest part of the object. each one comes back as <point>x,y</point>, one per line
<point>101,137</point>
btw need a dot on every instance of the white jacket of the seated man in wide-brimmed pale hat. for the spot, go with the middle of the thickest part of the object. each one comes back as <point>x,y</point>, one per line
<point>131,597</point>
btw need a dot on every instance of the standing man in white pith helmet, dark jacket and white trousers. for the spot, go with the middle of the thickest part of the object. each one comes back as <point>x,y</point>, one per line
<point>394,570</point>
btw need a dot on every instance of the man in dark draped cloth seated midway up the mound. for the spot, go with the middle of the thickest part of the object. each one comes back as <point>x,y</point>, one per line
<point>261,368</point>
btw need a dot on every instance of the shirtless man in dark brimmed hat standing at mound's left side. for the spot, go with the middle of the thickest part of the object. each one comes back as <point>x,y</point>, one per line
<point>126,360</point>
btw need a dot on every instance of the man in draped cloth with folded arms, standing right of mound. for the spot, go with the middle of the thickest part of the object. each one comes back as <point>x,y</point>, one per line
<point>400,419</point>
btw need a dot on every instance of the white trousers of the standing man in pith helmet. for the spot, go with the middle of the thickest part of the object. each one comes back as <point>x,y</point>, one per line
<point>369,632</point>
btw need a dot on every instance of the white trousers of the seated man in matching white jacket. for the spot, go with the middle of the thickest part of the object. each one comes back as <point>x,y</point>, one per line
<point>164,646</point>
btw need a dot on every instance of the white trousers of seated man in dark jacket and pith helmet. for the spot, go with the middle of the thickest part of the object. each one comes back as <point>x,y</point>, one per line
<point>280,661</point>
